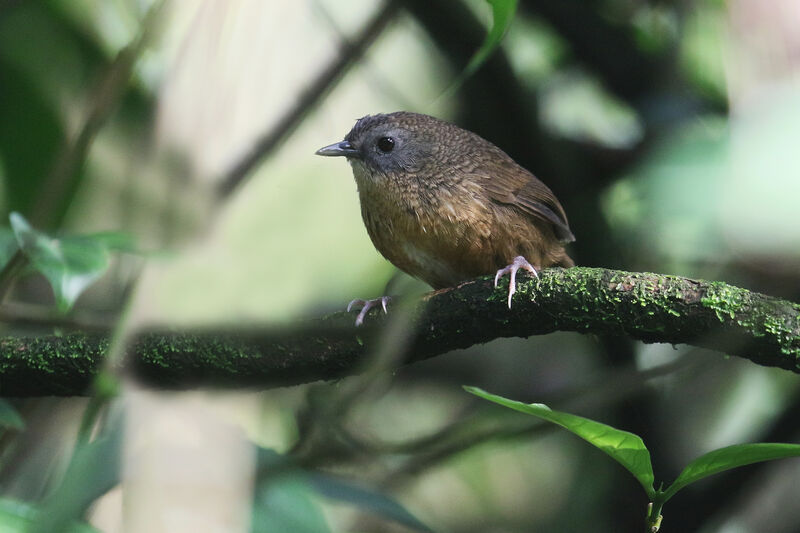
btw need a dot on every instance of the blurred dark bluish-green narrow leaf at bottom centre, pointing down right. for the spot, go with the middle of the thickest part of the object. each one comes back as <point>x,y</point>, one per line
<point>367,499</point>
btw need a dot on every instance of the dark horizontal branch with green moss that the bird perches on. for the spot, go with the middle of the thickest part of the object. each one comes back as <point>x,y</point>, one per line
<point>643,306</point>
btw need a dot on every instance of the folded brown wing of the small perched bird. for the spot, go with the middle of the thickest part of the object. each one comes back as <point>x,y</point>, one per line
<point>510,184</point>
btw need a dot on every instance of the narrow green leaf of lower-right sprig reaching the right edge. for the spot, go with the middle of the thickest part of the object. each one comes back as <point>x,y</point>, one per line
<point>730,457</point>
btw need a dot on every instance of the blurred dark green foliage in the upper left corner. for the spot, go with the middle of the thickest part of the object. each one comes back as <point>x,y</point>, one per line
<point>39,77</point>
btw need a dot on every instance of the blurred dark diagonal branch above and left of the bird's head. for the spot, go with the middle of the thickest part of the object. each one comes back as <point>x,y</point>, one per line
<point>350,54</point>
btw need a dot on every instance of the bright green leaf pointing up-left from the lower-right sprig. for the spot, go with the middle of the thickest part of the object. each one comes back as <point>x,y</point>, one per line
<point>626,448</point>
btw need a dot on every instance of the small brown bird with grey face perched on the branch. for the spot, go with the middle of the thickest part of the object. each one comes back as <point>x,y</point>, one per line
<point>445,205</point>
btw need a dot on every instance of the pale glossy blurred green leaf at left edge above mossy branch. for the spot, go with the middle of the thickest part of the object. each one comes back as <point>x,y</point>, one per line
<point>70,264</point>
